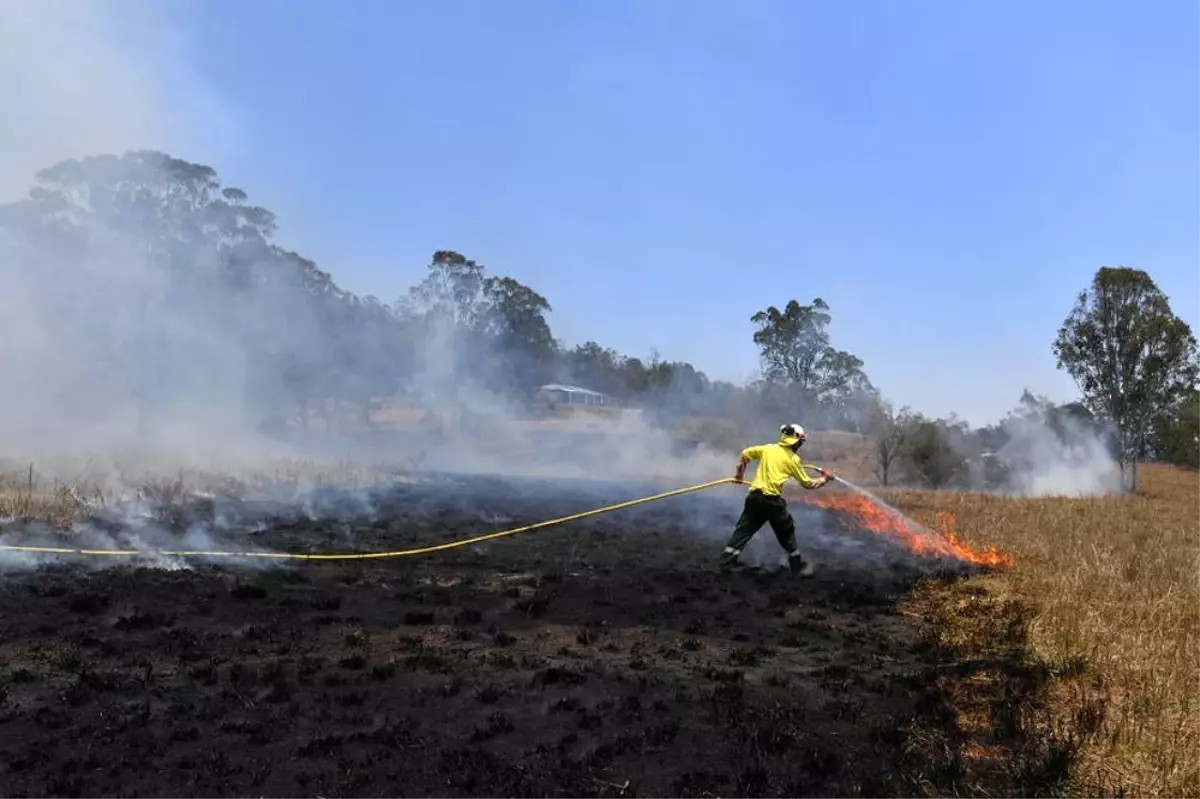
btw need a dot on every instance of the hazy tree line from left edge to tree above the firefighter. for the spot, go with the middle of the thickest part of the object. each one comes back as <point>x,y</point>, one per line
<point>206,261</point>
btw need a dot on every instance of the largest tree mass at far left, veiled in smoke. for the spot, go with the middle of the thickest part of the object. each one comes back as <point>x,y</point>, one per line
<point>170,289</point>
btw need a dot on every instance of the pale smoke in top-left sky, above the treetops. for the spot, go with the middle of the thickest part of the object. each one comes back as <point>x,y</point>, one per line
<point>83,79</point>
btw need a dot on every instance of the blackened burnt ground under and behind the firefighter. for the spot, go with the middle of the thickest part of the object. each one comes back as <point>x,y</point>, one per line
<point>602,659</point>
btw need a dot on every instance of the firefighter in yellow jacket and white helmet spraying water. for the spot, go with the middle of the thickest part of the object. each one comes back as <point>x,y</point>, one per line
<point>765,503</point>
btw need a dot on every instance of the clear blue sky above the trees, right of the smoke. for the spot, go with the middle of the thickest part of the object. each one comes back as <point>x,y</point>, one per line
<point>946,176</point>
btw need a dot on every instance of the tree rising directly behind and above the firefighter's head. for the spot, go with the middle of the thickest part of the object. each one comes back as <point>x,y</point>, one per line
<point>796,350</point>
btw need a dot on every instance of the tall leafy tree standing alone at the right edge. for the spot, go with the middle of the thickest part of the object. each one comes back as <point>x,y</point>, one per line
<point>1133,359</point>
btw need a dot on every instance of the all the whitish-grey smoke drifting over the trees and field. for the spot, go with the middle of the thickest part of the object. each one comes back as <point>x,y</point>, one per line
<point>153,325</point>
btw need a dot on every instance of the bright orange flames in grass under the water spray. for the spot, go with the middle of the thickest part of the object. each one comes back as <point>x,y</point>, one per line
<point>903,531</point>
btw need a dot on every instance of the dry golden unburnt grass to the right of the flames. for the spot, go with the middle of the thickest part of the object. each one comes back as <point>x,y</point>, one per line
<point>1114,591</point>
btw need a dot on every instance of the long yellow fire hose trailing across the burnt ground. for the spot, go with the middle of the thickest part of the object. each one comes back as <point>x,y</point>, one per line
<point>362,556</point>
